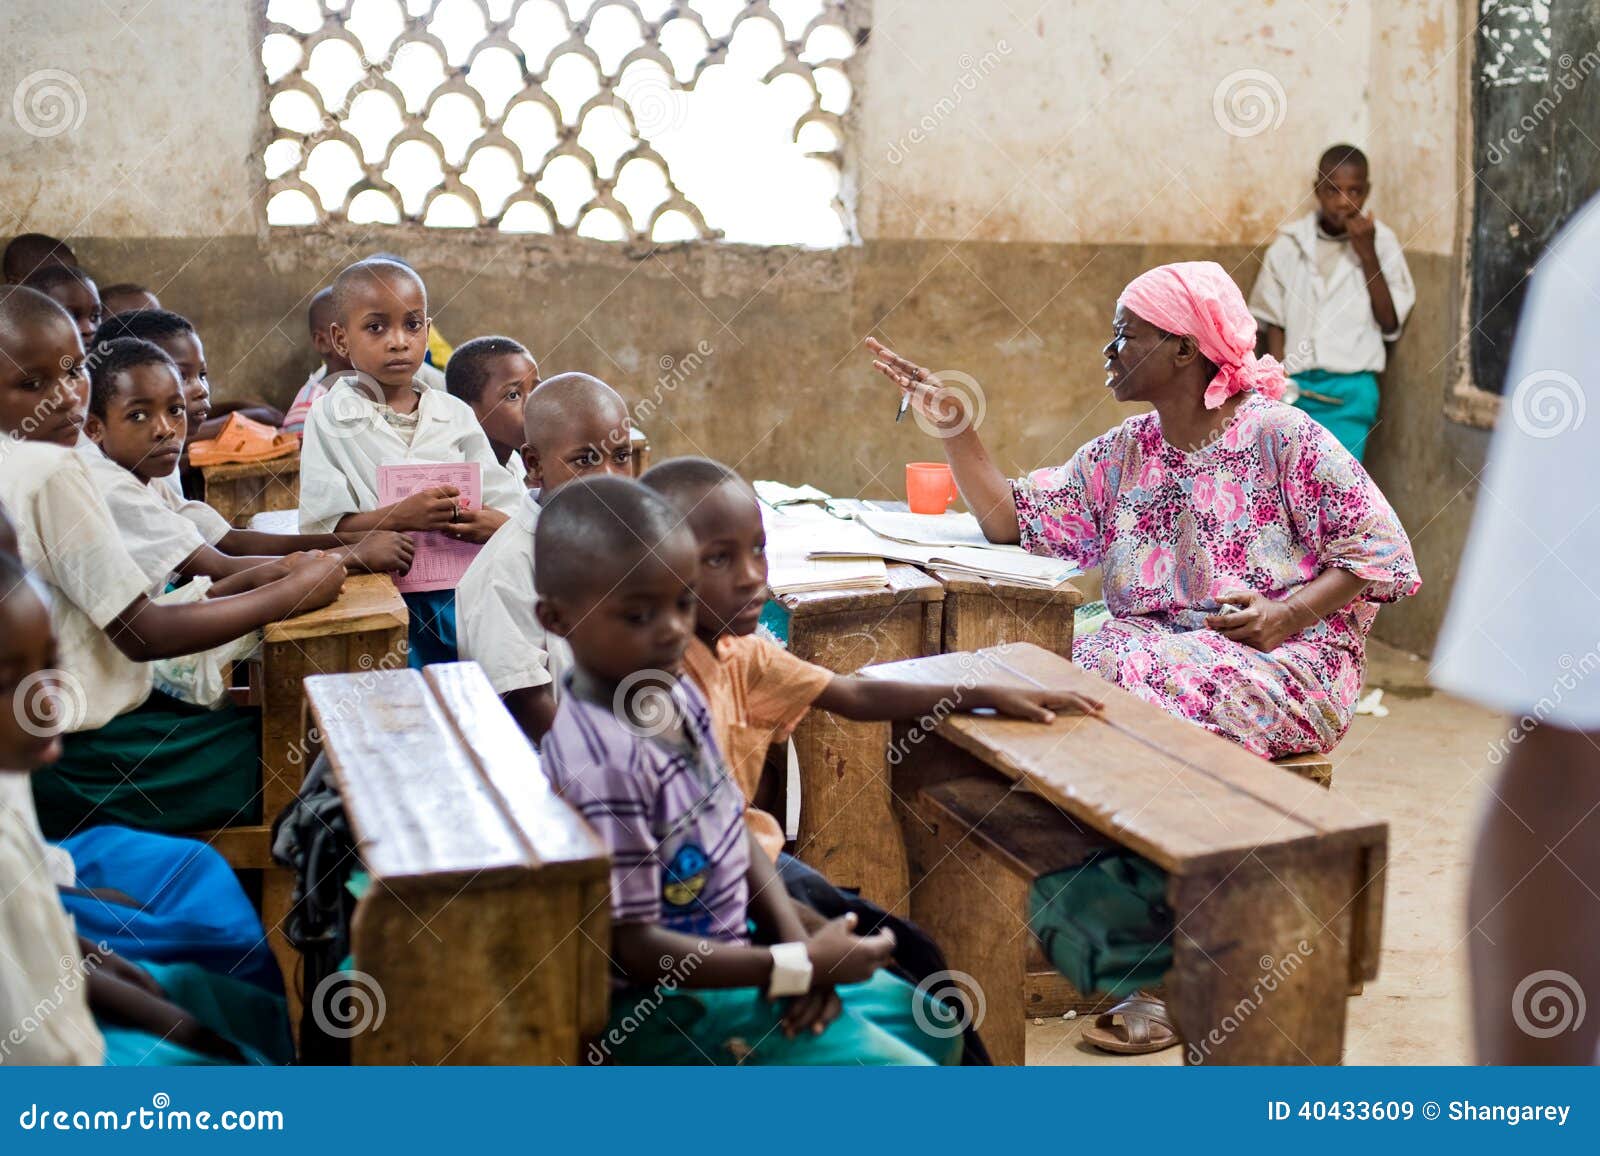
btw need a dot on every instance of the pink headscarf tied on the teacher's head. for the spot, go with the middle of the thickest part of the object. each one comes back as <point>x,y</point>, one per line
<point>1199,300</point>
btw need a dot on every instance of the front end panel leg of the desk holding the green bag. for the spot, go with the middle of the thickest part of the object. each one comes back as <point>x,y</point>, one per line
<point>1263,958</point>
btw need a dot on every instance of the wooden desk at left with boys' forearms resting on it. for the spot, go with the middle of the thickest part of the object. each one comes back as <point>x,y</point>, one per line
<point>362,630</point>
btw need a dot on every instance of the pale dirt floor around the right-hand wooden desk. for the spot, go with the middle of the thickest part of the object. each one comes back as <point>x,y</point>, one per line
<point>1423,771</point>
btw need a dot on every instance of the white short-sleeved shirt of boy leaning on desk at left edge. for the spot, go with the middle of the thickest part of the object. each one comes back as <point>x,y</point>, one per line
<point>71,545</point>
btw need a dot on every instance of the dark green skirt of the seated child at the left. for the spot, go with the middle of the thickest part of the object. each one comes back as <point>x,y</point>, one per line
<point>166,766</point>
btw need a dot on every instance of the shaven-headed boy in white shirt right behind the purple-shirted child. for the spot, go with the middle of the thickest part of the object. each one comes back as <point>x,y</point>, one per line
<point>574,427</point>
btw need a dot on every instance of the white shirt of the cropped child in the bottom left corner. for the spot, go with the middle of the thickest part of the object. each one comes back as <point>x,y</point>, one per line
<point>44,997</point>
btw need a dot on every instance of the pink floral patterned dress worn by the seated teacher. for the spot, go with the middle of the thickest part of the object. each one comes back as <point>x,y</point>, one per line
<point>1271,504</point>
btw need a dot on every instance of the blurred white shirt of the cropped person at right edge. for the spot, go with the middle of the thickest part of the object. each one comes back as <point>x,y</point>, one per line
<point>1524,627</point>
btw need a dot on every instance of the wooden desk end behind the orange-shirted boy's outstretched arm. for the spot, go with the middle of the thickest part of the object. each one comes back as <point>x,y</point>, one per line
<point>849,830</point>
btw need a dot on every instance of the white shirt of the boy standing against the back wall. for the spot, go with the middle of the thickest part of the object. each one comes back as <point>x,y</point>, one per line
<point>1329,321</point>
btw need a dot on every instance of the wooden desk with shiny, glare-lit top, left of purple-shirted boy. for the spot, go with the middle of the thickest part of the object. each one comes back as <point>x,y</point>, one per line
<point>487,923</point>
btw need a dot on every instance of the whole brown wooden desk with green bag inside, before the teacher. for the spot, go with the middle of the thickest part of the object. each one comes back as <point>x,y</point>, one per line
<point>1273,881</point>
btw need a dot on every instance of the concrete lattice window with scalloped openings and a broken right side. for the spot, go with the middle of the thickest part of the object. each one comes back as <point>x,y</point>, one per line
<point>626,121</point>
